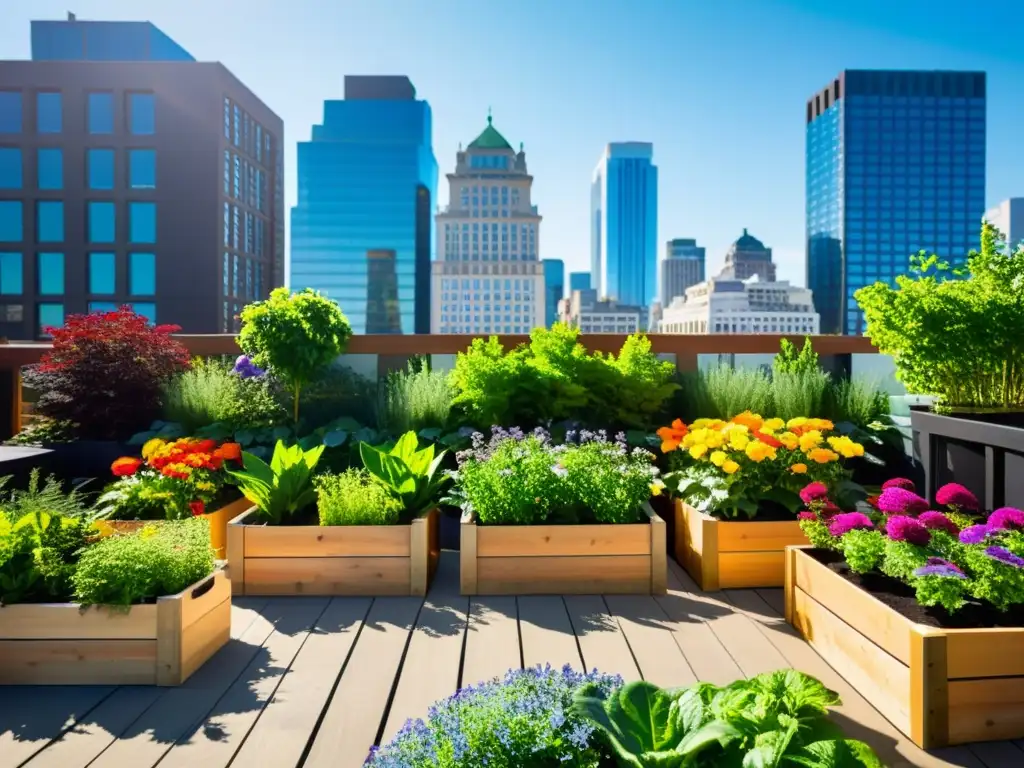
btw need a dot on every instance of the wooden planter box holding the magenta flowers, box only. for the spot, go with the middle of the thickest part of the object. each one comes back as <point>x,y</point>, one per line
<point>940,688</point>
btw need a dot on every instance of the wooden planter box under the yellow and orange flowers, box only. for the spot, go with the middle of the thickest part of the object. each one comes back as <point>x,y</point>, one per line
<point>721,556</point>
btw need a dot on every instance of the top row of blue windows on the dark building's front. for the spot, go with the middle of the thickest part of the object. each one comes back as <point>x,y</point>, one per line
<point>141,113</point>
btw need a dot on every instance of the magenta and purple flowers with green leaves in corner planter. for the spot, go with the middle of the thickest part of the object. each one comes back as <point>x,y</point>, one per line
<point>950,557</point>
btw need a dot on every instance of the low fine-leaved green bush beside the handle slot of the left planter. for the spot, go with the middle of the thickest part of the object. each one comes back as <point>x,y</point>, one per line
<point>159,560</point>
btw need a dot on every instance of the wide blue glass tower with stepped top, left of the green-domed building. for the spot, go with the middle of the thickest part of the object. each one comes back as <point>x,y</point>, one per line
<point>368,185</point>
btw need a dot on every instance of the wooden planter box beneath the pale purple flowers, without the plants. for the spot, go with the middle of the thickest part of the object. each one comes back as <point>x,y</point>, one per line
<point>564,560</point>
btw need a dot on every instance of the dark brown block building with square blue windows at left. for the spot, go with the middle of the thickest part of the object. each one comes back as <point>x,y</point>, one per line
<point>144,178</point>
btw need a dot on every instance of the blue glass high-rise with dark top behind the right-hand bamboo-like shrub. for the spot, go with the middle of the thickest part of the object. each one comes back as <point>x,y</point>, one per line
<point>895,165</point>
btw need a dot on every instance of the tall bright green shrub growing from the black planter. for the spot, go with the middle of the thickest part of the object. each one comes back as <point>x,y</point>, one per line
<point>958,339</point>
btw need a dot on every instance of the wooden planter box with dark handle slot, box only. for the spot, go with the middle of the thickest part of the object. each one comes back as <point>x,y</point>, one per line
<point>156,645</point>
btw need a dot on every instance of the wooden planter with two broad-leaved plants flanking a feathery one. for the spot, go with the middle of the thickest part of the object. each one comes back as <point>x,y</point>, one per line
<point>365,532</point>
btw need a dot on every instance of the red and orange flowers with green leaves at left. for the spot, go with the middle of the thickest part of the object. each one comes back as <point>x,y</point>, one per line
<point>174,480</point>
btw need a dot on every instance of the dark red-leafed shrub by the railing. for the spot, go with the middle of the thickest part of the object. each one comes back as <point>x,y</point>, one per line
<point>106,372</point>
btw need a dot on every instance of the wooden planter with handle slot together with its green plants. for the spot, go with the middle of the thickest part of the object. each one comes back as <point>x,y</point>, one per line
<point>140,609</point>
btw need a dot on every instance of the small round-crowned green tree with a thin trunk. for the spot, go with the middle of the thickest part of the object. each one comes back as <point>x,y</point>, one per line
<point>294,335</point>
